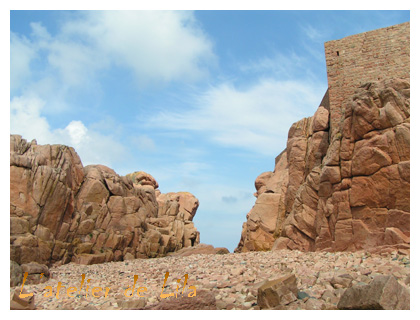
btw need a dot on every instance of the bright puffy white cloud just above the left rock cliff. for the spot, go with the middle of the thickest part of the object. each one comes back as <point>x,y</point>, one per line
<point>92,146</point>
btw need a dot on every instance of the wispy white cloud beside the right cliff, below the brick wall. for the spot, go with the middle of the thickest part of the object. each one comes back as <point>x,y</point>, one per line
<point>257,118</point>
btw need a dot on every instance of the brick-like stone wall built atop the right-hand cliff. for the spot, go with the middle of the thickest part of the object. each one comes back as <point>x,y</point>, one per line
<point>370,56</point>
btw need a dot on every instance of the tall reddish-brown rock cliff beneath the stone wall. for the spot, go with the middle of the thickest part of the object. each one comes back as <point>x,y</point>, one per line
<point>346,188</point>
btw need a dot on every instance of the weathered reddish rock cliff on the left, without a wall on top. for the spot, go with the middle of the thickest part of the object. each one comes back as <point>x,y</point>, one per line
<point>61,211</point>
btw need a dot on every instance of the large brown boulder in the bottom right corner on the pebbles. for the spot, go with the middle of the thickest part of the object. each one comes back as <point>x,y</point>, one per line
<point>383,293</point>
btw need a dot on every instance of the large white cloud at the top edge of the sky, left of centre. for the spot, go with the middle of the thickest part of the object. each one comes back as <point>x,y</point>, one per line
<point>155,45</point>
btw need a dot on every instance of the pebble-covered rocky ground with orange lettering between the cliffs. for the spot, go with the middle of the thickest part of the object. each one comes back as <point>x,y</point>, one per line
<point>222,281</point>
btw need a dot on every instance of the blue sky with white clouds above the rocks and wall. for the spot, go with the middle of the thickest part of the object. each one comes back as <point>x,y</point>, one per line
<point>201,100</point>
